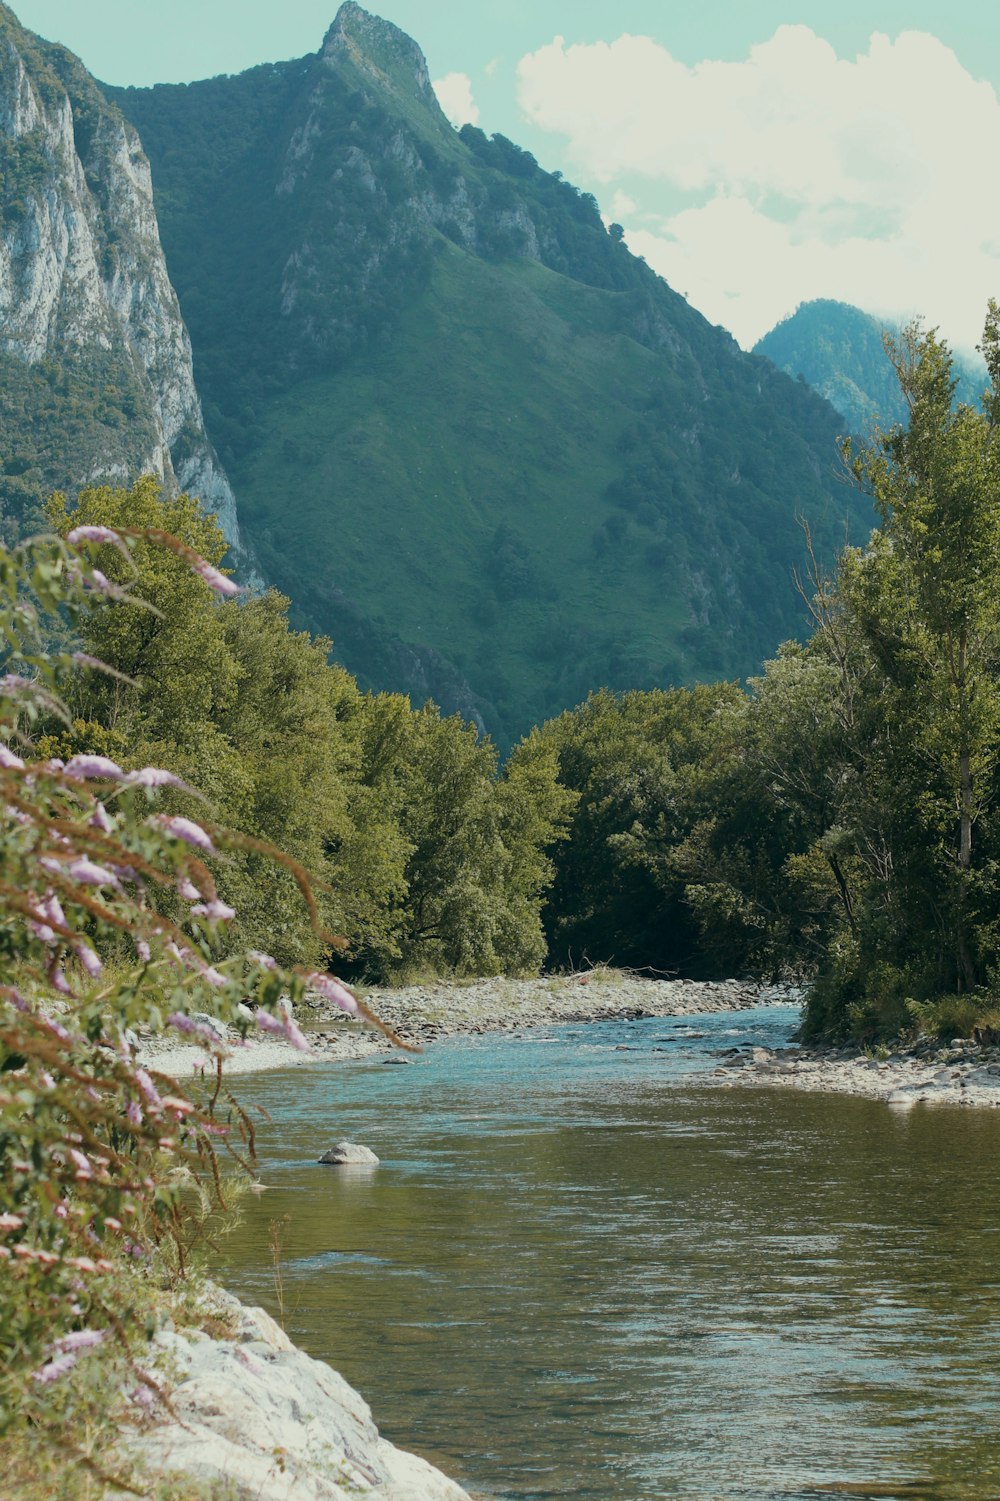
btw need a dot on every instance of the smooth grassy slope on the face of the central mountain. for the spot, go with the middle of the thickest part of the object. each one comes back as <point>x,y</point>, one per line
<point>525,412</point>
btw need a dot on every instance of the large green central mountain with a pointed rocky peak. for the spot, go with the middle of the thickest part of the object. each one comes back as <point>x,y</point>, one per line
<point>475,439</point>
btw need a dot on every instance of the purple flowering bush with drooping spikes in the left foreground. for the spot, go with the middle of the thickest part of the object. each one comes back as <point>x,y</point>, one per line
<point>98,1155</point>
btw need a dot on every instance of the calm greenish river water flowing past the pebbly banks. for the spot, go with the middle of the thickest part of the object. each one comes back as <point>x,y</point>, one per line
<point>585,1271</point>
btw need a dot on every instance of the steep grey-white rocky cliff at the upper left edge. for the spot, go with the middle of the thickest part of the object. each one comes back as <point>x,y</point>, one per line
<point>95,362</point>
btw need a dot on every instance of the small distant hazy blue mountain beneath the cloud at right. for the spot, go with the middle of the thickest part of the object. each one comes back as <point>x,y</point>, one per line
<point>840,352</point>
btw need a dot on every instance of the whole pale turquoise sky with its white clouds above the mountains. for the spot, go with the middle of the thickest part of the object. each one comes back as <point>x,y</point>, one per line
<point>758,152</point>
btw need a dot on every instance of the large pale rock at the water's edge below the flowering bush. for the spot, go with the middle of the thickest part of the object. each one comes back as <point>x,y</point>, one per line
<point>262,1419</point>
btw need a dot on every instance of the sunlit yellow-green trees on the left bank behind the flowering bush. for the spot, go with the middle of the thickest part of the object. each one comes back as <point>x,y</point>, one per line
<point>423,855</point>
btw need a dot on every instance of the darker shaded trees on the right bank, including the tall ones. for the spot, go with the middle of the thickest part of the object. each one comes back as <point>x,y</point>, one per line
<point>837,820</point>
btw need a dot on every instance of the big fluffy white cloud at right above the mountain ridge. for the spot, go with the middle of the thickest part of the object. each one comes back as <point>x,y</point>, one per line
<point>803,175</point>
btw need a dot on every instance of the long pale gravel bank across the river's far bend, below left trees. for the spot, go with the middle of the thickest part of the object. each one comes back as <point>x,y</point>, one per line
<point>426,1014</point>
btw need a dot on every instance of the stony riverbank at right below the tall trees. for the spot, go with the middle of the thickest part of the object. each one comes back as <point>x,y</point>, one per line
<point>927,1072</point>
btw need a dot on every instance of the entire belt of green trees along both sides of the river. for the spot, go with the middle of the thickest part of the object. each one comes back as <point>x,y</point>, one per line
<point>833,820</point>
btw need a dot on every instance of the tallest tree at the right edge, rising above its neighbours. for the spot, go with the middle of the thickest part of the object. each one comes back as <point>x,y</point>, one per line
<point>923,603</point>
